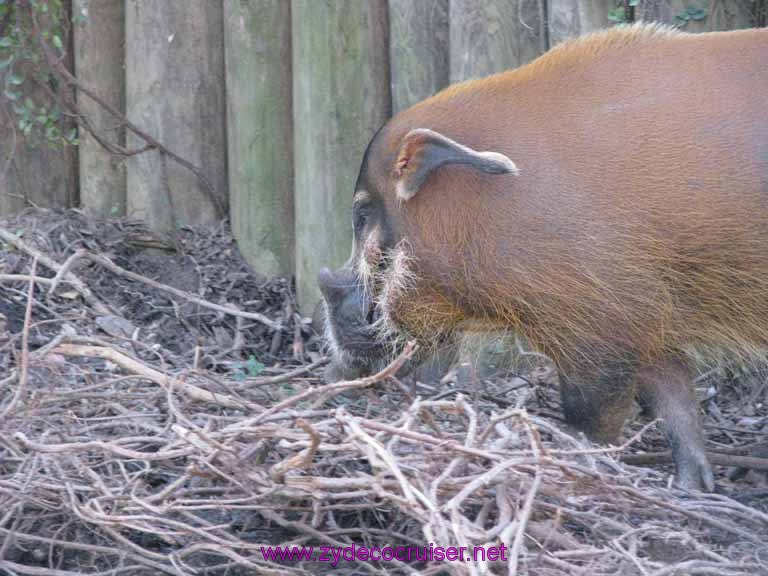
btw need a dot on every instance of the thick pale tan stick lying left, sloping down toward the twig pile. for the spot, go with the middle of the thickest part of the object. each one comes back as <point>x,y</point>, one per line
<point>133,365</point>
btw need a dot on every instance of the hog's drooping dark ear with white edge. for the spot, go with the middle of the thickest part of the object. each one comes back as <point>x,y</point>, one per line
<point>423,151</point>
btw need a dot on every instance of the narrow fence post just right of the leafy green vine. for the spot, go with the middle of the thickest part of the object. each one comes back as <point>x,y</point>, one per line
<point>99,41</point>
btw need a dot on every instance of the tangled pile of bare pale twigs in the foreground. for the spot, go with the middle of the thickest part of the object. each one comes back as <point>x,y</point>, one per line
<point>118,457</point>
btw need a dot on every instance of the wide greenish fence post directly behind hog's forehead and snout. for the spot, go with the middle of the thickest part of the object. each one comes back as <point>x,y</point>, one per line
<point>341,96</point>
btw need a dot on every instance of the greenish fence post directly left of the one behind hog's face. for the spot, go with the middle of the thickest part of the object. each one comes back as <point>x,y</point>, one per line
<point>260,131</point>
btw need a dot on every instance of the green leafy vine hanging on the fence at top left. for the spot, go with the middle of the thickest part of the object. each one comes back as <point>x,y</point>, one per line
<point>23,66</point>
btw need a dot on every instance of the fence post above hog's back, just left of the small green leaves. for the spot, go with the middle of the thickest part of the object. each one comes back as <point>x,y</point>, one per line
<point>568,19</point>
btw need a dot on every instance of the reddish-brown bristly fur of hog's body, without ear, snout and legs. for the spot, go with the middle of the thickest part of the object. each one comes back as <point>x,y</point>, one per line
<point>638,234</point>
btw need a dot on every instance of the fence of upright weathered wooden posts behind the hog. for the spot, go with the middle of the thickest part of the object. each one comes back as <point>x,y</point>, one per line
<point>275,101</point>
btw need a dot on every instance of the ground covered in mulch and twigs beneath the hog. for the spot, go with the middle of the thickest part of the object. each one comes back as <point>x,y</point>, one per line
<point>163,412</point>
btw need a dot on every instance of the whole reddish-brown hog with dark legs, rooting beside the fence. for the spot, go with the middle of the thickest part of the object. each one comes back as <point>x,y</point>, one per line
<point>608,202</point>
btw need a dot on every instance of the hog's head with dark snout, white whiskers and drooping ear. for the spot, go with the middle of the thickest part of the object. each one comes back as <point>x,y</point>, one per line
<point>372,302</point>
